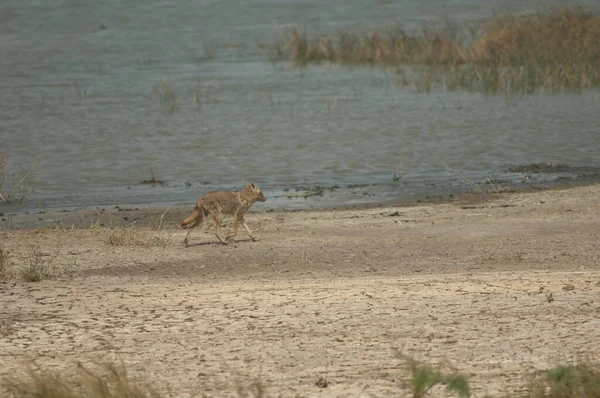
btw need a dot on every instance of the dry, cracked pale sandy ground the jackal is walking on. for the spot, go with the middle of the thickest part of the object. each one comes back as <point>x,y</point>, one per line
<point>496,287</point>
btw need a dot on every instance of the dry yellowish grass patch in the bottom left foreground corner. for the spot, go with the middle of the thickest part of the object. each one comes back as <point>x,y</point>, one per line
<point>112,383</point>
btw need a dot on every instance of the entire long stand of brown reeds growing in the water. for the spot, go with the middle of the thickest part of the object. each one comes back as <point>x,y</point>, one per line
<point>553,51</point>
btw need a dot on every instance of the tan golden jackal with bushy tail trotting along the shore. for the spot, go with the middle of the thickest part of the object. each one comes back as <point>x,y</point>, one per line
<point>220,203</point>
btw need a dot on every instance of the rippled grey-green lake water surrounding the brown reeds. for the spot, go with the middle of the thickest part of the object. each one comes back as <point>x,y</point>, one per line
<point>85,90</point>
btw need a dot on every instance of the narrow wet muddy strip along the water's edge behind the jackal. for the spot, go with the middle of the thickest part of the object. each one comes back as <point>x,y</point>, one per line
<point>313,197</point>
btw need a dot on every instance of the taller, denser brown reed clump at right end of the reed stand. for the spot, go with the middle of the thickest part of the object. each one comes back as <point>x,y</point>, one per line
<point>559,50</point>
